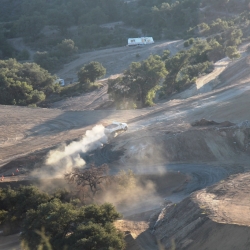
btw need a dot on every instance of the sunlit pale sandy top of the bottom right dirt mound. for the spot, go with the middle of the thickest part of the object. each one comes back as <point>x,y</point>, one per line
<point>227,202</point>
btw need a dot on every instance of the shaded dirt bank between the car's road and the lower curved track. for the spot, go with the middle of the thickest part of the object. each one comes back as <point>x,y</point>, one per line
<point>214,143</point>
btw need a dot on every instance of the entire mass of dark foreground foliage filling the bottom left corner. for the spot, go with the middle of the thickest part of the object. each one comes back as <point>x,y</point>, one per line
<point>63,221</point>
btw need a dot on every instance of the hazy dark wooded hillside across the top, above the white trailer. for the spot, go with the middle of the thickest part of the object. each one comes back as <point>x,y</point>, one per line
<point>160,19</point>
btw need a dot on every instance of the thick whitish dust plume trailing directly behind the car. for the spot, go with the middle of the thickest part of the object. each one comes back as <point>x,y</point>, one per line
<point>66,157</point>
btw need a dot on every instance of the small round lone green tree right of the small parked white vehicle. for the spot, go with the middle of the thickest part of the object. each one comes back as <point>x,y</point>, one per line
<point>90,72</point>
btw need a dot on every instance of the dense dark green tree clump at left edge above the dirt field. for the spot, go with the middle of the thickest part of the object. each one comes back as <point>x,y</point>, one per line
<point>23,84</point>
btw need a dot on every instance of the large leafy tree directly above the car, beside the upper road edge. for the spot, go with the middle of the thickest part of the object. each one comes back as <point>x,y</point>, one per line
<point>138,84</point>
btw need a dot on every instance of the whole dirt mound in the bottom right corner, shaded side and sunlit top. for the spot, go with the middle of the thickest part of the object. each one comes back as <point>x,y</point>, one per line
<point>214,218</point>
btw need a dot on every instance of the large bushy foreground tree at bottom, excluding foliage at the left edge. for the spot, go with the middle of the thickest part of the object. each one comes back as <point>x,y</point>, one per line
<point>74,227</point>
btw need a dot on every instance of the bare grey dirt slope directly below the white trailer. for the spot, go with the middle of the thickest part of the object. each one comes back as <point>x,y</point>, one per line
<point>116,60</point>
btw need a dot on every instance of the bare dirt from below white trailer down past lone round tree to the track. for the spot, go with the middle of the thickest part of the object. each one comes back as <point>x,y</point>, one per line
<point>115,60</point>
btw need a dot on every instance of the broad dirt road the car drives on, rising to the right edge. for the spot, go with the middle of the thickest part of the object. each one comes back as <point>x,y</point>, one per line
<point>25,130</point>
